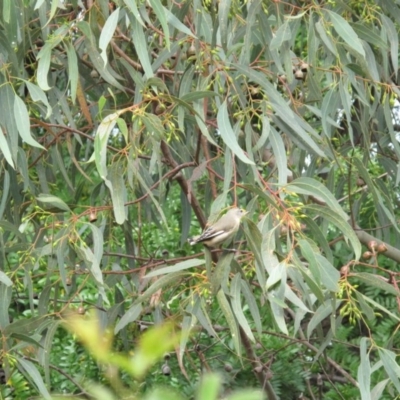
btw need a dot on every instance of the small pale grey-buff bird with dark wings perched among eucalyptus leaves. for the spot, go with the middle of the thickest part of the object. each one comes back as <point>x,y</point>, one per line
<point>222,230</point>
